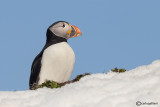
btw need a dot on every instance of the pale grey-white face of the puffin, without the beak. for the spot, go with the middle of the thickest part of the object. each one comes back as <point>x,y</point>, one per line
<point>61,29</point>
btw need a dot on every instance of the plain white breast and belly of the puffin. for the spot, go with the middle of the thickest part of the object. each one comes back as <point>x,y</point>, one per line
<point>57,63</point>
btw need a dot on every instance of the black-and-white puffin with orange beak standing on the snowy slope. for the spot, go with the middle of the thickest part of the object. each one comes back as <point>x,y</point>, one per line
<point>56,60</point>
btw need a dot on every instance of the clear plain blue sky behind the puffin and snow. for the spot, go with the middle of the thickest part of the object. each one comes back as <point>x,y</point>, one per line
<point>116,33</point>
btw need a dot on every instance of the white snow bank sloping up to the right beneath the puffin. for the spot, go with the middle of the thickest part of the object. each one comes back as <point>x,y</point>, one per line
<point>96,90</point>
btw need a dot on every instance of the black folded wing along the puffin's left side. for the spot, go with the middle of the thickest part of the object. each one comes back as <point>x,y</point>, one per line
<point>35,70</point>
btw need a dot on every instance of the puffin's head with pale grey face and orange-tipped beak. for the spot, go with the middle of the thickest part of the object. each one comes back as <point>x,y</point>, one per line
<point>64,29</point>
